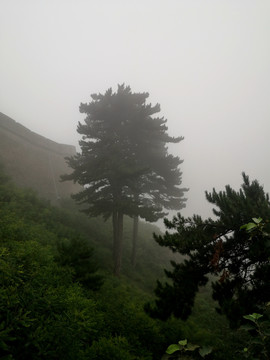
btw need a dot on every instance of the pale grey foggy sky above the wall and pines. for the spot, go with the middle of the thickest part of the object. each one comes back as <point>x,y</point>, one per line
<point>206,62</point>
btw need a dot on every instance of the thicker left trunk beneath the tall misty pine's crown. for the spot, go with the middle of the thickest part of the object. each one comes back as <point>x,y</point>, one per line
<point>118,241</point>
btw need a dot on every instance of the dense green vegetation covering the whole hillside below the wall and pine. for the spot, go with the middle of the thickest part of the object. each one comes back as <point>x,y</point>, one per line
<point>55,304</point>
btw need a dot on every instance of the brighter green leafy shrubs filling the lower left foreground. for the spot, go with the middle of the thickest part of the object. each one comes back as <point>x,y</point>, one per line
<point>40,308</point>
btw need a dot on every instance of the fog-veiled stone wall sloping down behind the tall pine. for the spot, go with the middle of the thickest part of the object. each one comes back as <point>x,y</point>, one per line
<point>33,161</point>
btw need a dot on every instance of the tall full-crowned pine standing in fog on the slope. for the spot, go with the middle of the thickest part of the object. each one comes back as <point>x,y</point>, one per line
<point>124,165</point>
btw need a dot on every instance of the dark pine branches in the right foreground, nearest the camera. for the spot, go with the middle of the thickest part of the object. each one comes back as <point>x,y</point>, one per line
<point>238,263</point>
